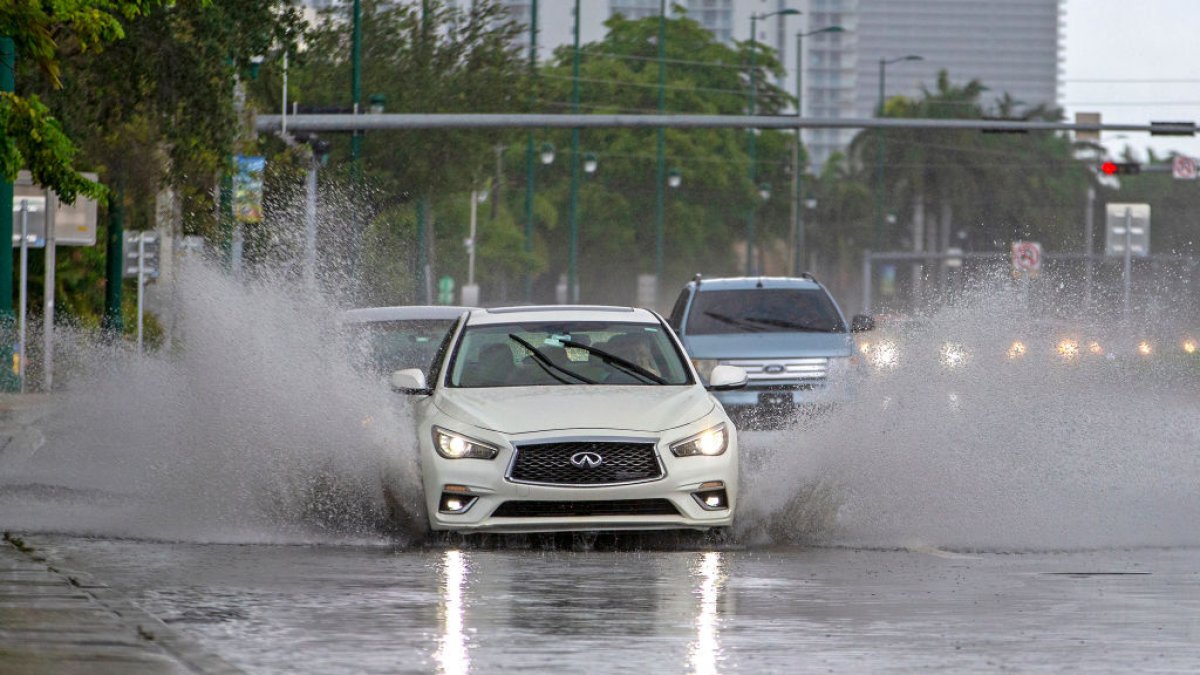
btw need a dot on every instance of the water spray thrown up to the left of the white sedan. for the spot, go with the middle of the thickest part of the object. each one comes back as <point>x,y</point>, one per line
<point>253,428</point>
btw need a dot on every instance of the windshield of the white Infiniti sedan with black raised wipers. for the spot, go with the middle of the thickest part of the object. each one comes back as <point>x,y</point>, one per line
<point>548,354</point>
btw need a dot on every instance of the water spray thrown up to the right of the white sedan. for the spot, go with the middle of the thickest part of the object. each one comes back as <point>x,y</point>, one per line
<point>988,426</point>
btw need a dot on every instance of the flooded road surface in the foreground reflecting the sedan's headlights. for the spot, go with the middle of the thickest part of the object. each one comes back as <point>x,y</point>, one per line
<point>382,610</point>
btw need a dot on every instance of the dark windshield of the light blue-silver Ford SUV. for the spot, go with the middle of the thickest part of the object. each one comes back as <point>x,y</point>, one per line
<point>764,310</point>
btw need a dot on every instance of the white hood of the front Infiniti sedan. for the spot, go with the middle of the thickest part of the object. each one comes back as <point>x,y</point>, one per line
<point>520,410</point>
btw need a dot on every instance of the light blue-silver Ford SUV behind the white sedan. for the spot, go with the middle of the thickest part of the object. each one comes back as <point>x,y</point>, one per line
<point>788,333</point>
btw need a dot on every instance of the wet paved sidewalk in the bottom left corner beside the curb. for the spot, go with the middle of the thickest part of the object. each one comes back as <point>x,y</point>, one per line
<point>57,622</point>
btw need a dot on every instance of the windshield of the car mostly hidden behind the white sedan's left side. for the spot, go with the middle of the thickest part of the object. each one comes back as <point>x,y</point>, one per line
<point>386,347</point>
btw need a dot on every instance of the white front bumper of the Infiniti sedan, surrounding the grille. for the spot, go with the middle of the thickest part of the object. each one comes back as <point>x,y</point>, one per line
<point>485,483</point>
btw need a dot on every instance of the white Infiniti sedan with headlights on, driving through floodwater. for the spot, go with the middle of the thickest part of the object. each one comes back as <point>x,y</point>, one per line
<point>572,419</point>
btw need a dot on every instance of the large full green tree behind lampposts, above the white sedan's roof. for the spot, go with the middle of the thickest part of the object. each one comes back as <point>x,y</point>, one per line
<point>705,219</point>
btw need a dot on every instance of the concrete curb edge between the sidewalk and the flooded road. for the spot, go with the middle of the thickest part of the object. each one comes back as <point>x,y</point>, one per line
<point>133,619</point>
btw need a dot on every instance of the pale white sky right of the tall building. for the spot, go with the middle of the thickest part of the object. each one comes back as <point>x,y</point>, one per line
<point>1143,50</point>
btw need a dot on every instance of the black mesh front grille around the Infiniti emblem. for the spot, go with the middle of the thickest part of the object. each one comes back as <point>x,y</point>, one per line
<point>551,464</point>
